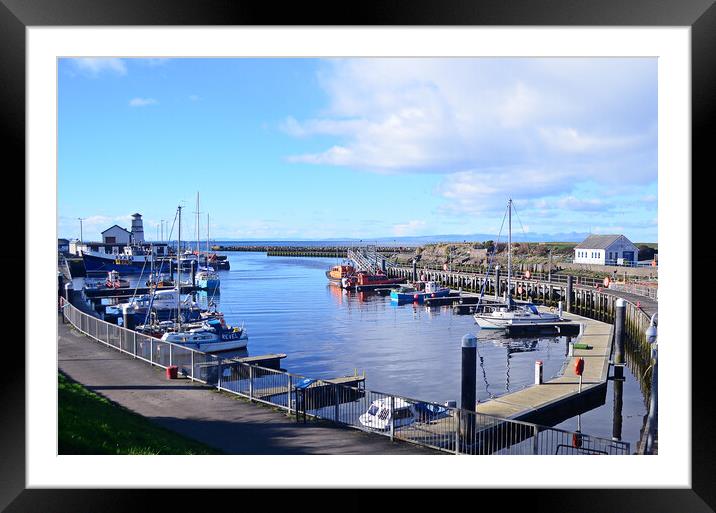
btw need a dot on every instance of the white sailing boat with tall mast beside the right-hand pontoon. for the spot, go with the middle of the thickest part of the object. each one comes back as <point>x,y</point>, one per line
<point>500,317</point>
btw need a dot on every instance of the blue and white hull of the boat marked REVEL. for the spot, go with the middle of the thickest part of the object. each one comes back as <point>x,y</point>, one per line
<point>212,335</point>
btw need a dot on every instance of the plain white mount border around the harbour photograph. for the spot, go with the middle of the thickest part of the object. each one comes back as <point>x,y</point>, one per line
<point>671,468</point>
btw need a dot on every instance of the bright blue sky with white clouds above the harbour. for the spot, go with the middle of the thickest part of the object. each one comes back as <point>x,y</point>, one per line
<point>358,148</point>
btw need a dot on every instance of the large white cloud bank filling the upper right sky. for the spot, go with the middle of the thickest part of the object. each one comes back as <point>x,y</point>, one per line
<point>458,115</point>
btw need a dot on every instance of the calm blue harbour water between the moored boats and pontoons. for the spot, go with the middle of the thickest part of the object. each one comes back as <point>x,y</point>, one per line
<point>288,306</point>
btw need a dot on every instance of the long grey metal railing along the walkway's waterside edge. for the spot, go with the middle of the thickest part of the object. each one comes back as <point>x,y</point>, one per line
<point>423,423</point>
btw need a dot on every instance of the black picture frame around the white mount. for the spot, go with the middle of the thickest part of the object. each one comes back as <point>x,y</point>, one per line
<point>700,15</point>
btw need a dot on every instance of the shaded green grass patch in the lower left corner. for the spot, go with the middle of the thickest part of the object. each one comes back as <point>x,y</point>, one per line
<point>91,424</point>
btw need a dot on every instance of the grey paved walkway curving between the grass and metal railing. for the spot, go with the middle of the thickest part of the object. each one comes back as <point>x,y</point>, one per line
<point>199,412</point>
